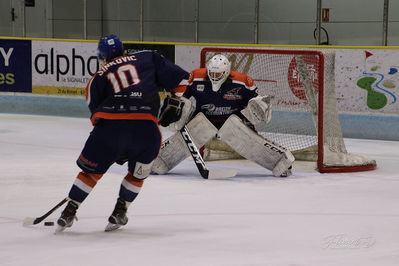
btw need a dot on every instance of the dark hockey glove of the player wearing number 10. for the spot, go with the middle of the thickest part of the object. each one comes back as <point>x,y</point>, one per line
<point>171,111</point>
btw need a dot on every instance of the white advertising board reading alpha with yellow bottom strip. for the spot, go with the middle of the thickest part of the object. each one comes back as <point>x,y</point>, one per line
<point>63,68</point>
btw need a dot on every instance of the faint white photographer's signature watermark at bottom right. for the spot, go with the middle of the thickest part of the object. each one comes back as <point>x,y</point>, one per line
<point>343,241</point>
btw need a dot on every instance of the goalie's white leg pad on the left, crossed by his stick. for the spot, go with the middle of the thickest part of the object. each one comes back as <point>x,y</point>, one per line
<point>174,149</point>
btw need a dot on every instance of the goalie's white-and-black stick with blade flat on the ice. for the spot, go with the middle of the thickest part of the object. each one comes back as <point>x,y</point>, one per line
<point>199,162</point>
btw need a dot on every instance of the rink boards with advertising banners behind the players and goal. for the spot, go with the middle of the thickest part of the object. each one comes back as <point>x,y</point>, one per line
<point>48,77</point>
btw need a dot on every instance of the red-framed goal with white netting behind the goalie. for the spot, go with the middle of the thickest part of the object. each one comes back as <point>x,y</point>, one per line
<point>305,113</point>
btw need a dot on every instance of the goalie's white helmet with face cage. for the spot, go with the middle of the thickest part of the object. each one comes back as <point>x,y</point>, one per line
<point>218,68</point>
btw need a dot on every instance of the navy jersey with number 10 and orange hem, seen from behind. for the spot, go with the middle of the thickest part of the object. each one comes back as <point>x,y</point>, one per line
<point>128,86</point>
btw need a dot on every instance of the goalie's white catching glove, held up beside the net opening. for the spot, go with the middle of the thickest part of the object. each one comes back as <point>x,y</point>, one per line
<point>258,109</point>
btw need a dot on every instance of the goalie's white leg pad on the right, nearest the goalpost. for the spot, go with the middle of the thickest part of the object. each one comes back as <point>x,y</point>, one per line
<point>255,148</point>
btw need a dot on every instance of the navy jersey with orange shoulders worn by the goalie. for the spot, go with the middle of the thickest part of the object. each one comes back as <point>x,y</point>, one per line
<point>231,98</point>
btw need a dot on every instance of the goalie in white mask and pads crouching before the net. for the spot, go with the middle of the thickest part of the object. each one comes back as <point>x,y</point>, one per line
<point>224,105</point>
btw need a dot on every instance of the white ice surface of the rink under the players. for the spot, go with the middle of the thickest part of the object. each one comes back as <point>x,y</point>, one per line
<point>181,219</point>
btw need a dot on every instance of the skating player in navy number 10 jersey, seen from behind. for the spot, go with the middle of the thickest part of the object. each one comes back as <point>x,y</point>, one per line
<point>124,103</point>
